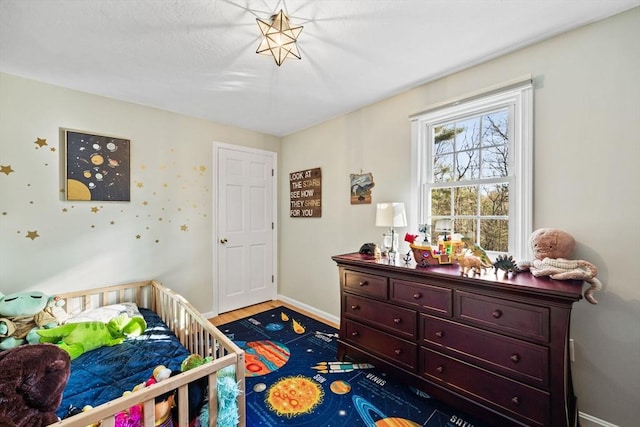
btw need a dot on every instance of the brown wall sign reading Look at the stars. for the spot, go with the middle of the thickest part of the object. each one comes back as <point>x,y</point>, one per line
<point>305,192</point>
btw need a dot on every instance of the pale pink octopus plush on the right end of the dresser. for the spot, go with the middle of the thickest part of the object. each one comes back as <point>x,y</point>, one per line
<point>551,250</point>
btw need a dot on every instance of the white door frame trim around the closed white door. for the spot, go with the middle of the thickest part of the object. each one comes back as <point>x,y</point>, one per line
<point>217,146</point>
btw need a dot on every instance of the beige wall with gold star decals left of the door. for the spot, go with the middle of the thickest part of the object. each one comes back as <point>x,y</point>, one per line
<point>171,195</point>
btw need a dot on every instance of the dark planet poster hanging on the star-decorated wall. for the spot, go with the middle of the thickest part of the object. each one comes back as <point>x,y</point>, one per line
<point>97,167</point>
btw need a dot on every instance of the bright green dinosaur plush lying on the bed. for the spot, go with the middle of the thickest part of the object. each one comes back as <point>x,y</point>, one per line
<point>78,338</point>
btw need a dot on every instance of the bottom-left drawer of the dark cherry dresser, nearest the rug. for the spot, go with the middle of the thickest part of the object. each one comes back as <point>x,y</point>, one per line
<point>402,353</point>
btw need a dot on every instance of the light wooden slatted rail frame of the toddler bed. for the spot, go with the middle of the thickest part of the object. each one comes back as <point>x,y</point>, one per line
<point>195,332</point>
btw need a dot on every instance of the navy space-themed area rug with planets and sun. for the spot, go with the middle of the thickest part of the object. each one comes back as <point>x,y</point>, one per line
<point>293,378</point>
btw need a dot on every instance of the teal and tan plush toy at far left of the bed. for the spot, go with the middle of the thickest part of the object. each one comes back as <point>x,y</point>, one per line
<point>22,313</point>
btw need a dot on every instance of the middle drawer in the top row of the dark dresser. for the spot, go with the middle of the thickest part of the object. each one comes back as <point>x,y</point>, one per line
<point>425,297</point>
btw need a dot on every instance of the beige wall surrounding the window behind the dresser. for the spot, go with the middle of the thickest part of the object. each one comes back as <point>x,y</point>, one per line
<point>587,97</point>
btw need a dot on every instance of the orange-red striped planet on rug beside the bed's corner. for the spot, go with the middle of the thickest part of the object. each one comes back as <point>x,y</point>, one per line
<point>264,357</point>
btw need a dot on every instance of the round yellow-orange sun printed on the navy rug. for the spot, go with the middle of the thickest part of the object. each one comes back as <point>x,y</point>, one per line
<point>292,396</point>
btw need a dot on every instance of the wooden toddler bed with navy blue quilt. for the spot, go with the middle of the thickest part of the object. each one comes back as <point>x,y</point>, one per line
<point>167,314</point>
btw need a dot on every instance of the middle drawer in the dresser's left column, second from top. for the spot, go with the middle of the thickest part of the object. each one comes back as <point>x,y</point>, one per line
<point>399,321</point>
